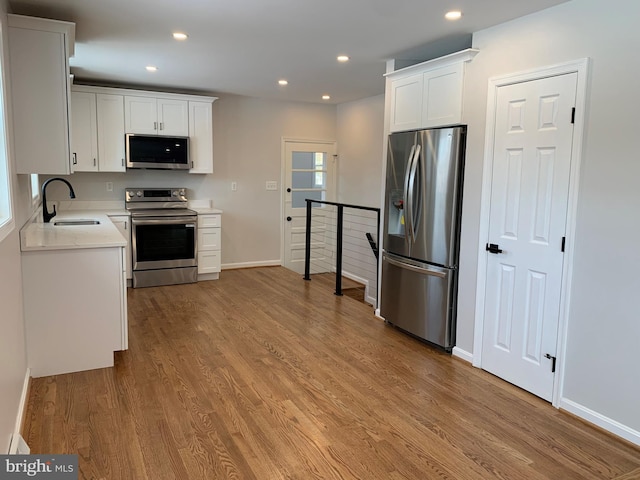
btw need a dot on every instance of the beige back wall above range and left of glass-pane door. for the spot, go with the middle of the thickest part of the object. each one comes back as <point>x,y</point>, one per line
<point>247,150</point>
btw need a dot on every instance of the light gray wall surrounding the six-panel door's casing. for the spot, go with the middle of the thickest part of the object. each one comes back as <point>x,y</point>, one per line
<point>601,368</point>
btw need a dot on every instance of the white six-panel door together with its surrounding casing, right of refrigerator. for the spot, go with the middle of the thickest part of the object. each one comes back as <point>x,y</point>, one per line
<point>534,340</point>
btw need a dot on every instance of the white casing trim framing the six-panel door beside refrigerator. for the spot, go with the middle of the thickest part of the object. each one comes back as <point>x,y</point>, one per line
<point>581,67</point>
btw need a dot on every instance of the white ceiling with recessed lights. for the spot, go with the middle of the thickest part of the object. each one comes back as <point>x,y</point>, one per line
<point>245,46</point>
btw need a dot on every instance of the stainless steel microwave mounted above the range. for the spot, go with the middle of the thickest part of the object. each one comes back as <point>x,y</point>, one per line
<point>157,152</point>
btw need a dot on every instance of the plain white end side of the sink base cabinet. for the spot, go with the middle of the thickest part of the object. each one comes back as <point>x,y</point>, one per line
<point>74,308</point>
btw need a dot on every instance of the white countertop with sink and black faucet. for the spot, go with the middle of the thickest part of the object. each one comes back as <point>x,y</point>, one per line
<point>37,235</point>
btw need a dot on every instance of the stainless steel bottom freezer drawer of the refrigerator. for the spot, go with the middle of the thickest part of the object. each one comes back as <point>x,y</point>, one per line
<point>419,298</point>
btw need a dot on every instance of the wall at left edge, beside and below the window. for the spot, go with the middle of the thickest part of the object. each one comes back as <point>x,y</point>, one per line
<point>13,364</point>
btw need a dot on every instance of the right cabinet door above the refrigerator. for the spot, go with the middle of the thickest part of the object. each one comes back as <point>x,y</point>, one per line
<point>442,93</point>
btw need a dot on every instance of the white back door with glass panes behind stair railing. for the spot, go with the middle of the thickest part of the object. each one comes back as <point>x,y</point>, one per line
<point>309,174</point>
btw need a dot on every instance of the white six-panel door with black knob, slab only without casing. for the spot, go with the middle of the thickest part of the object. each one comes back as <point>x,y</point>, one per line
<point>527,221</point>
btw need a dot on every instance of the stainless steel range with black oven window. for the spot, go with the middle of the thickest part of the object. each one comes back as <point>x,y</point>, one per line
<point>163,237</point>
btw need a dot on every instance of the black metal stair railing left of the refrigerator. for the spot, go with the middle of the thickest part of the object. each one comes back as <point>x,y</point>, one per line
<point>339,237</point>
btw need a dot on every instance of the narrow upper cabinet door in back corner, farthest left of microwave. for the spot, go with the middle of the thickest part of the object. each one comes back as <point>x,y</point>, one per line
<point>84,138</point>
